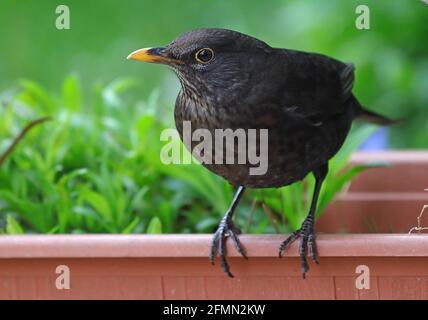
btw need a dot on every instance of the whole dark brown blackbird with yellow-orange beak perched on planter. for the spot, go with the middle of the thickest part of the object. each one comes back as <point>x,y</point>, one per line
<point>230,80</point>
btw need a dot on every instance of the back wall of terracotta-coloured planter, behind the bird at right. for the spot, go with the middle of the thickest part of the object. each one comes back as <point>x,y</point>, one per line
<point>382,200</point>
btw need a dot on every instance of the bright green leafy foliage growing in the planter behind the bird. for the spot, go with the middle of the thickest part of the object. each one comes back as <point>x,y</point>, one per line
<point>95,168</point>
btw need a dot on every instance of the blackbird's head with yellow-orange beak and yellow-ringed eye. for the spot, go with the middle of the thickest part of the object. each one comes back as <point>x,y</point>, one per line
<point>208,60</point>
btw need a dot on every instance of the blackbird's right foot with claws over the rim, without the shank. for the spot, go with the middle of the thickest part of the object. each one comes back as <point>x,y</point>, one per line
<point>307,239</point>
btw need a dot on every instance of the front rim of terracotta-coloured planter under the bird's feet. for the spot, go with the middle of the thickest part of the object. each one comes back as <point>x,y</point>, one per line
<point>197,246</point>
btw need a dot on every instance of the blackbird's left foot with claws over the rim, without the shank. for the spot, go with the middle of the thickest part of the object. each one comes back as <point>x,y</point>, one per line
<point>225,229</point>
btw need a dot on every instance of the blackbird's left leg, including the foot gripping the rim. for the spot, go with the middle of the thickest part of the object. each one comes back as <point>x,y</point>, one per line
<point>227,228</point>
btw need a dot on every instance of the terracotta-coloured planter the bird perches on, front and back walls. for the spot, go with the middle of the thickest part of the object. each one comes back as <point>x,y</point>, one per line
<point>176,266</point>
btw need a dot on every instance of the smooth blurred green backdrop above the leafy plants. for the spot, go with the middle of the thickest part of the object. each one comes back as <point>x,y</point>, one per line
<point>391,58</point>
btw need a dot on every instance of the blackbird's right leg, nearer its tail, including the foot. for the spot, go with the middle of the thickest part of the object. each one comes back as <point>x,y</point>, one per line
<point>306,231</point>
